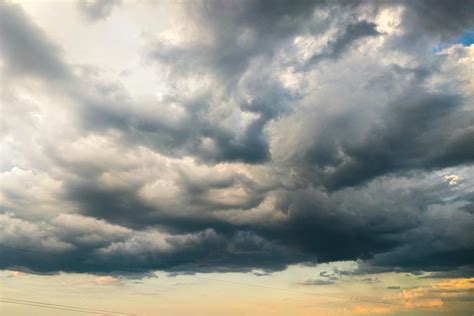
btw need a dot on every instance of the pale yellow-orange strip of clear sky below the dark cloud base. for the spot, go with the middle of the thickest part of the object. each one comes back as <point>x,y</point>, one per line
<point>280,293</point>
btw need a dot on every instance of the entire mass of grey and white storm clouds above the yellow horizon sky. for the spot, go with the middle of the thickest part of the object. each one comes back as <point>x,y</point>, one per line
<point>285,133</point>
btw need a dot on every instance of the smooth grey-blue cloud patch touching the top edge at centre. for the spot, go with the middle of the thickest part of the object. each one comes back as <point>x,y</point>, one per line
<point>241,31</point>
